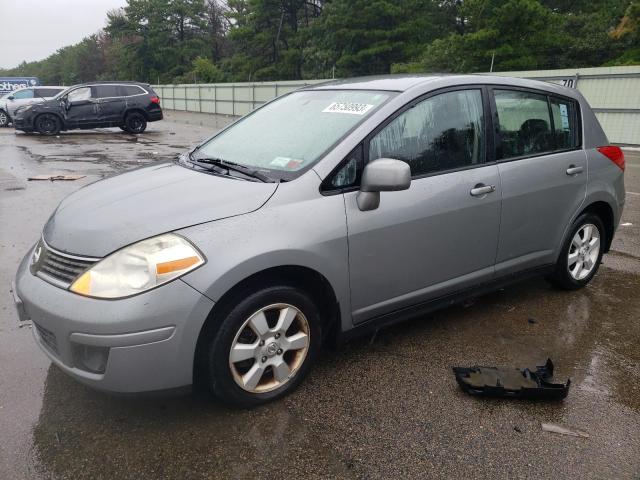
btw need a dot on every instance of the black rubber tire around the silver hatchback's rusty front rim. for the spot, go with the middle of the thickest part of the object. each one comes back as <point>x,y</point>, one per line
<point>215,346</point>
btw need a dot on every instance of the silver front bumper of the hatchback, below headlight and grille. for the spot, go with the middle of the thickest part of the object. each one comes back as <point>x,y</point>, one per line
<point>149,339</point>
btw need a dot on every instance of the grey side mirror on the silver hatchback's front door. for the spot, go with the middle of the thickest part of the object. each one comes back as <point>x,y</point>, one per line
<point>382,175</point>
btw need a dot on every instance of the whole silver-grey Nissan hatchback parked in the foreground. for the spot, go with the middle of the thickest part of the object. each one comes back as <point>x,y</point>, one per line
<point>334,209</point>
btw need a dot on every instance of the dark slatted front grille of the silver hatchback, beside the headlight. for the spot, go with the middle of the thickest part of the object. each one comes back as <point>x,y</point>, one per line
<point>62,268</point>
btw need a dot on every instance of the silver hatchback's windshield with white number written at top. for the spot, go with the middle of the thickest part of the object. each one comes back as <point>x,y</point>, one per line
<point>291,133</point>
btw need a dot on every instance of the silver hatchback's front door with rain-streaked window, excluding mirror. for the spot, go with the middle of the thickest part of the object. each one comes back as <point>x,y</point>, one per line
<point>441,235</point>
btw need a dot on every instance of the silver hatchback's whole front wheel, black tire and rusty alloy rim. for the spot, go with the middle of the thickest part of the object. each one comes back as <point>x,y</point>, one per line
<point>264,346</point>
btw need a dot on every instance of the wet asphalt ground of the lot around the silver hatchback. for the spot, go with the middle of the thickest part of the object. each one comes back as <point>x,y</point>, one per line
<point>383,407</point>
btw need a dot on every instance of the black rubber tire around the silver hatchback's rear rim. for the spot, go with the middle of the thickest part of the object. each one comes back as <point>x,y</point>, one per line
<point>562,276</point>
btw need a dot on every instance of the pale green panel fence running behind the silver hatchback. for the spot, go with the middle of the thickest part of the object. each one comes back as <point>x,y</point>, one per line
<point>613,93</point>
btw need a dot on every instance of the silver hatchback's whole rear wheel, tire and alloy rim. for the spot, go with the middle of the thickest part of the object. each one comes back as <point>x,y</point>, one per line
<point>581,254</point>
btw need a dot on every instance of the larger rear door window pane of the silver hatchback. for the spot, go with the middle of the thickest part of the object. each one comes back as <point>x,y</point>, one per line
<point>524,124</point>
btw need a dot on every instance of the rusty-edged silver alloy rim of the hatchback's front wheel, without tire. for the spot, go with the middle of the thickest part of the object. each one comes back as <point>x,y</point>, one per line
<point>269,348</point>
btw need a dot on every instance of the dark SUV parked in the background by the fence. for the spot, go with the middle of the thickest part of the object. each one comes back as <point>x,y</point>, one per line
<point>127,105</point>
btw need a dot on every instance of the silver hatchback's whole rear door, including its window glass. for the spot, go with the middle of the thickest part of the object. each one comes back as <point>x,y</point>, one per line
<point>543,172</point>
